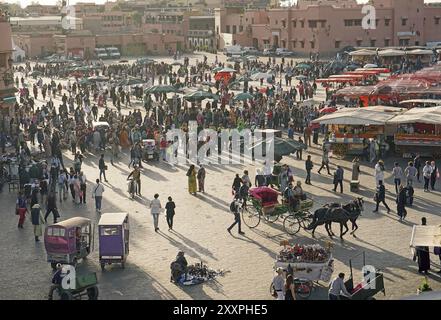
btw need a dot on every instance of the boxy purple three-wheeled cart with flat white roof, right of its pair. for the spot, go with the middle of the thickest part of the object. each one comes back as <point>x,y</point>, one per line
<point>113,236</point>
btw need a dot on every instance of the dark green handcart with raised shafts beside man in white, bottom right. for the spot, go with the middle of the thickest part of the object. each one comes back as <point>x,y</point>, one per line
<point>369,287</point>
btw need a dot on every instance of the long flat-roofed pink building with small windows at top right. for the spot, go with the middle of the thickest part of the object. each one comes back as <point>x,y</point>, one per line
<point>327,26</point>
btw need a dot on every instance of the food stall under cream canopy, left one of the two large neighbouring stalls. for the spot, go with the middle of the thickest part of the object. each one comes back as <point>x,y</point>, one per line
<point>351,128</point>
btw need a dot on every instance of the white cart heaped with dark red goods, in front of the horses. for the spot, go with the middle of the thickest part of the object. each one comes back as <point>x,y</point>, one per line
<point>312,262</point>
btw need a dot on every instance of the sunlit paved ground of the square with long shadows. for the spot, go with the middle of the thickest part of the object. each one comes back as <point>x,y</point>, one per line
<point>200,231</point>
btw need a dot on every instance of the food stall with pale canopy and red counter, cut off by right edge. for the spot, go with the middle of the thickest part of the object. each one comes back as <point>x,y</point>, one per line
<point>418,131</point>
